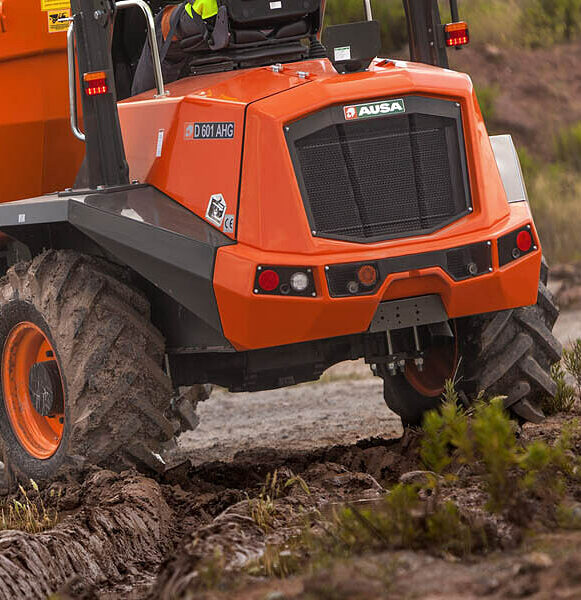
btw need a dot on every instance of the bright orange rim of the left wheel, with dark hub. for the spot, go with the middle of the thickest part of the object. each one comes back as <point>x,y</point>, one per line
<point>26,350</point>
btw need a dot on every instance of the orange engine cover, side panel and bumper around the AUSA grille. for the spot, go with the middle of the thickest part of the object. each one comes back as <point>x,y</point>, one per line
<point>255,174</point>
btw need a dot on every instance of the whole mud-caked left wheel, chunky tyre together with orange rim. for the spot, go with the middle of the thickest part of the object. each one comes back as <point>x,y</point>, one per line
<point>82,381</point>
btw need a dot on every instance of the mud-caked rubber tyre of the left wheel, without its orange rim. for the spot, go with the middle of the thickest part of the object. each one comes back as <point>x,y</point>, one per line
<point>110,357</point>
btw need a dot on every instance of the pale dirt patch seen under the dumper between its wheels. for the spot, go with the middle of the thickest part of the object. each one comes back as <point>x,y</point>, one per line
<point>345,407</point>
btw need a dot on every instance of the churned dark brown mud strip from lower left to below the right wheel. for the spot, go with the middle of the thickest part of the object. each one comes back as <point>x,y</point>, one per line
<point>118,529</point>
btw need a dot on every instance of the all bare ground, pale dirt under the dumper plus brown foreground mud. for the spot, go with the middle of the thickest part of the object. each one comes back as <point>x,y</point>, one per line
<point>129,536</point>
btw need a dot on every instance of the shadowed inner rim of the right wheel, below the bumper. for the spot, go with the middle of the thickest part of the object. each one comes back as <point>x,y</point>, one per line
<point>440,364</point>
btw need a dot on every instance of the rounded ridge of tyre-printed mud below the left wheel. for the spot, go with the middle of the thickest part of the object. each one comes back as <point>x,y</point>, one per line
<point>118,524</point>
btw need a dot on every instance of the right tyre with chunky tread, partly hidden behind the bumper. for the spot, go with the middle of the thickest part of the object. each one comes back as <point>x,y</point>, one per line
<point>508,353</point>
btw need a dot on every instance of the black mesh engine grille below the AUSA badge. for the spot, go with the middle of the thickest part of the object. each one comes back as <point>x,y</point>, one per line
<point>416,182</point>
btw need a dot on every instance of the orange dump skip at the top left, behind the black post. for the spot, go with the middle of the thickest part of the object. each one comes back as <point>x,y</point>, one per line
<point>38,152</point>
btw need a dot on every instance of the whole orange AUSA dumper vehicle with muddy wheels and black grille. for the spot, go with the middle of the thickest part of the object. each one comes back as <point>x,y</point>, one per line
<point>286,202</point>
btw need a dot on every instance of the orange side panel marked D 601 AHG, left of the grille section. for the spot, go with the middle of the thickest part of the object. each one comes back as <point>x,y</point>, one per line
<point>188,168</point>
